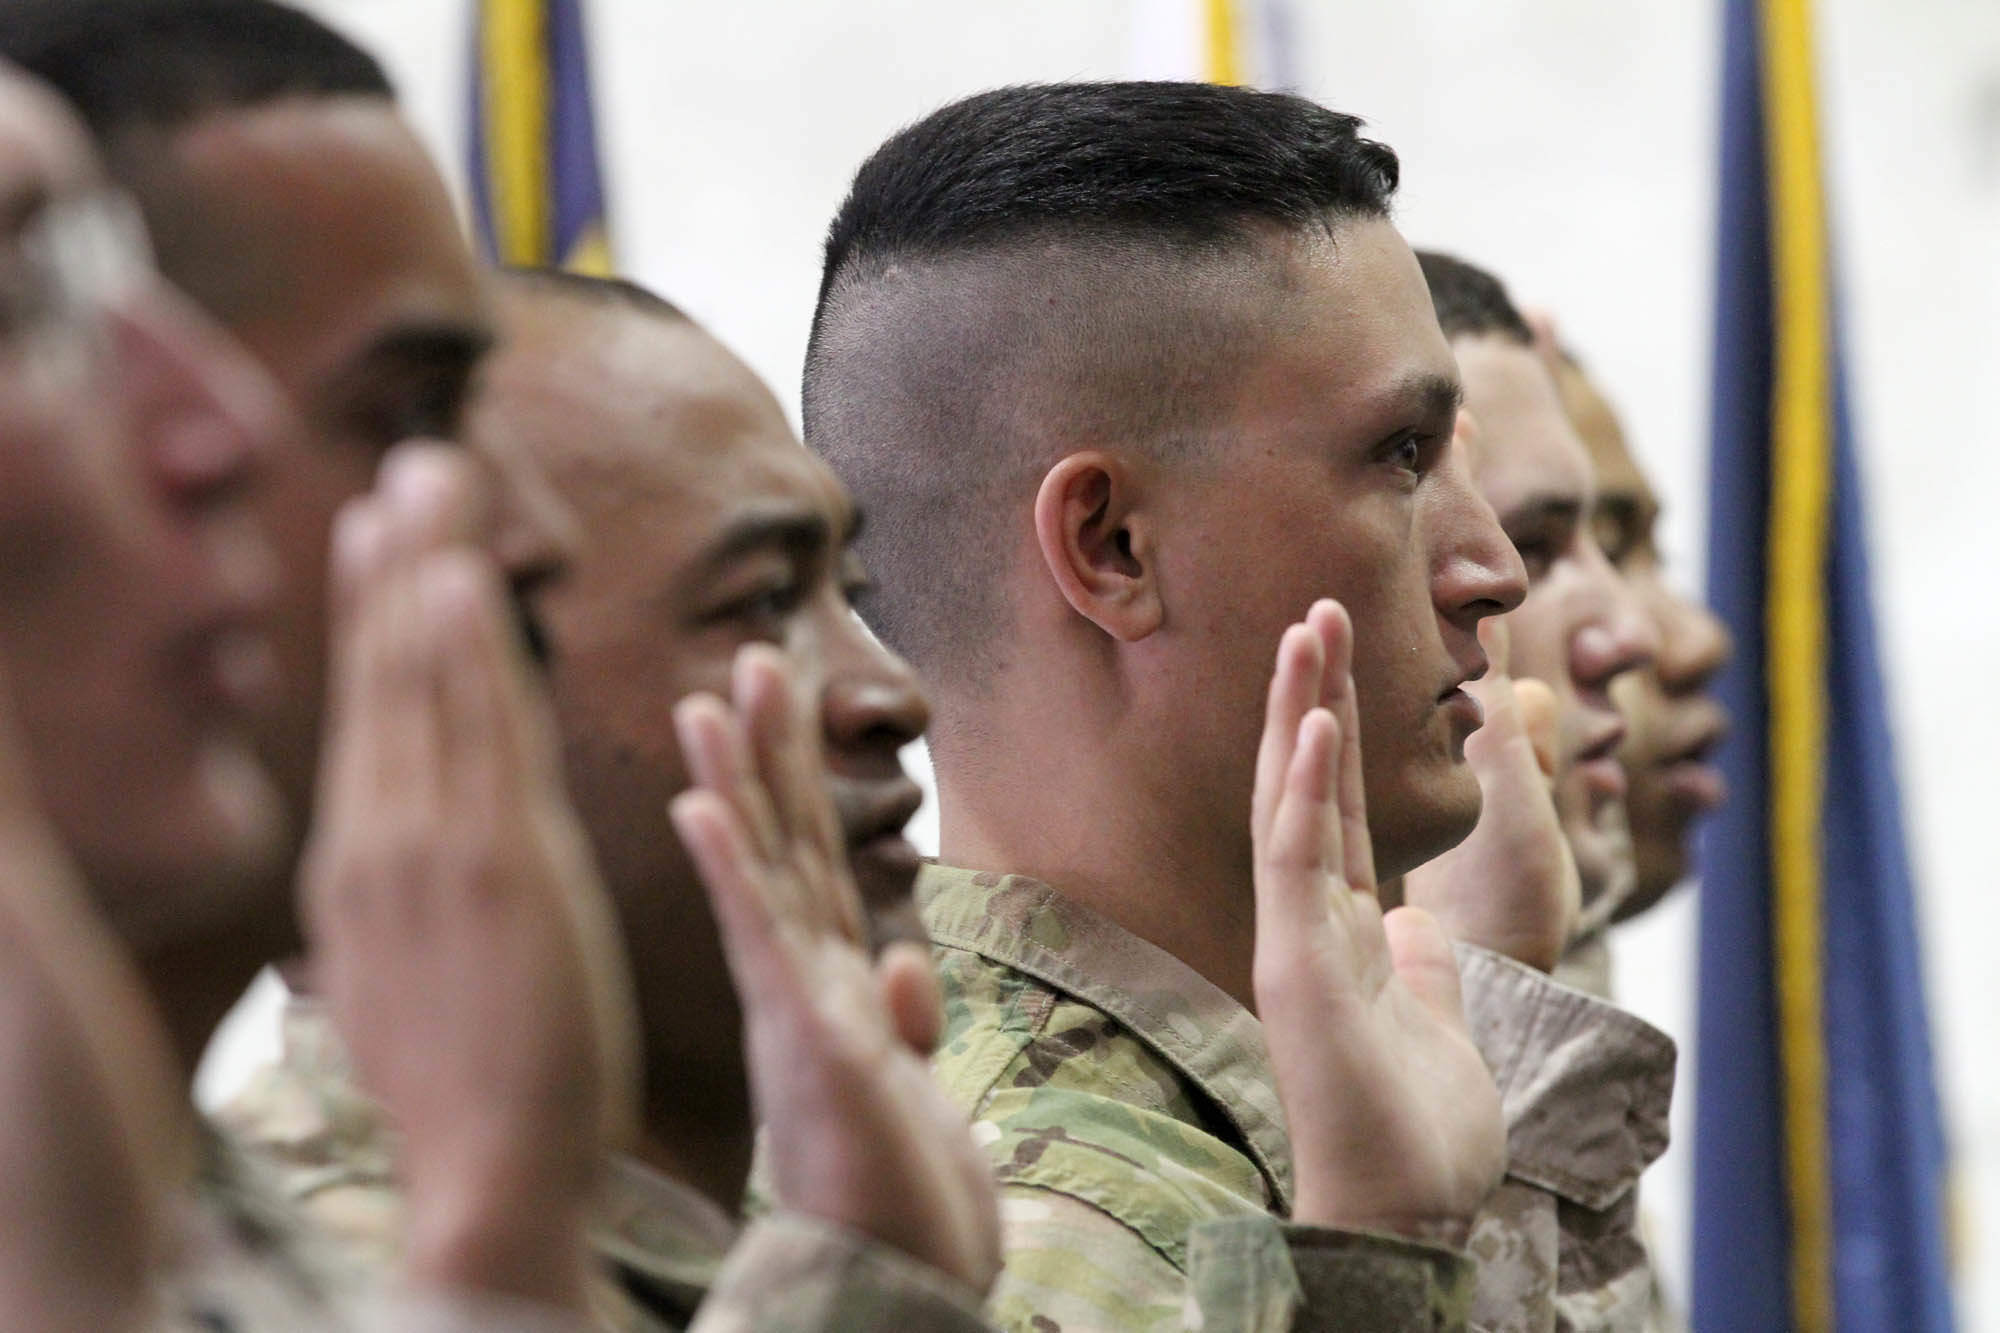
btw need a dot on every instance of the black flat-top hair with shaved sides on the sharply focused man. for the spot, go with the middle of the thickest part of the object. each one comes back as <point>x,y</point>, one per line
<point>1037,269</point>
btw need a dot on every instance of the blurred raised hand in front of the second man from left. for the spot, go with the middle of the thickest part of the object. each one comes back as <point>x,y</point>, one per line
<point>457,926</point>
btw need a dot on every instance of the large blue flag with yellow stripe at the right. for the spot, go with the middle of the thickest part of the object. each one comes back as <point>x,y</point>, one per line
<point>1819,1194</point>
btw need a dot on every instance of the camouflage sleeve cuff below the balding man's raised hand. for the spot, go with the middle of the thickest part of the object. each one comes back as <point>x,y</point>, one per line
<point>793,1274</point>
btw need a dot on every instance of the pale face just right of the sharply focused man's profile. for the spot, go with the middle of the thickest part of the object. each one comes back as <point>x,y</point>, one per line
<point>1581,625</point>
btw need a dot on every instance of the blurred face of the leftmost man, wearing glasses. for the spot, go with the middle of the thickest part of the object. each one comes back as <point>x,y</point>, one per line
<point>133,577</point>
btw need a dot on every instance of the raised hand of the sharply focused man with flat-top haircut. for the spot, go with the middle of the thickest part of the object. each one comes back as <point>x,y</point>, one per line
<point>1393,1116</point>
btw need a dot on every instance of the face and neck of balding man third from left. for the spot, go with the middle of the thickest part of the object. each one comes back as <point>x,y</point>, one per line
<point>709,527</point>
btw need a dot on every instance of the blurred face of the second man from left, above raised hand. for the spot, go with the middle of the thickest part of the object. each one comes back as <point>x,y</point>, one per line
<point>319,233</point>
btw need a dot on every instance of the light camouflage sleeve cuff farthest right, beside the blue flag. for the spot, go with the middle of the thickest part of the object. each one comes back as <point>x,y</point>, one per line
<point>1585,1090</point>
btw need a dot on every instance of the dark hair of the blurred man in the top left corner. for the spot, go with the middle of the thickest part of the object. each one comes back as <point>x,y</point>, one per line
<point>163,63</point>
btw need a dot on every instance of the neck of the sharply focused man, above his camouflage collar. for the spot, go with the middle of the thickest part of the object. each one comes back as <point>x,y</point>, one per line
<point>1121,834</point>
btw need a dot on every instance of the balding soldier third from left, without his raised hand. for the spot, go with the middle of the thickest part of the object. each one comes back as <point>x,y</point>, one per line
<point>709,527</point>
